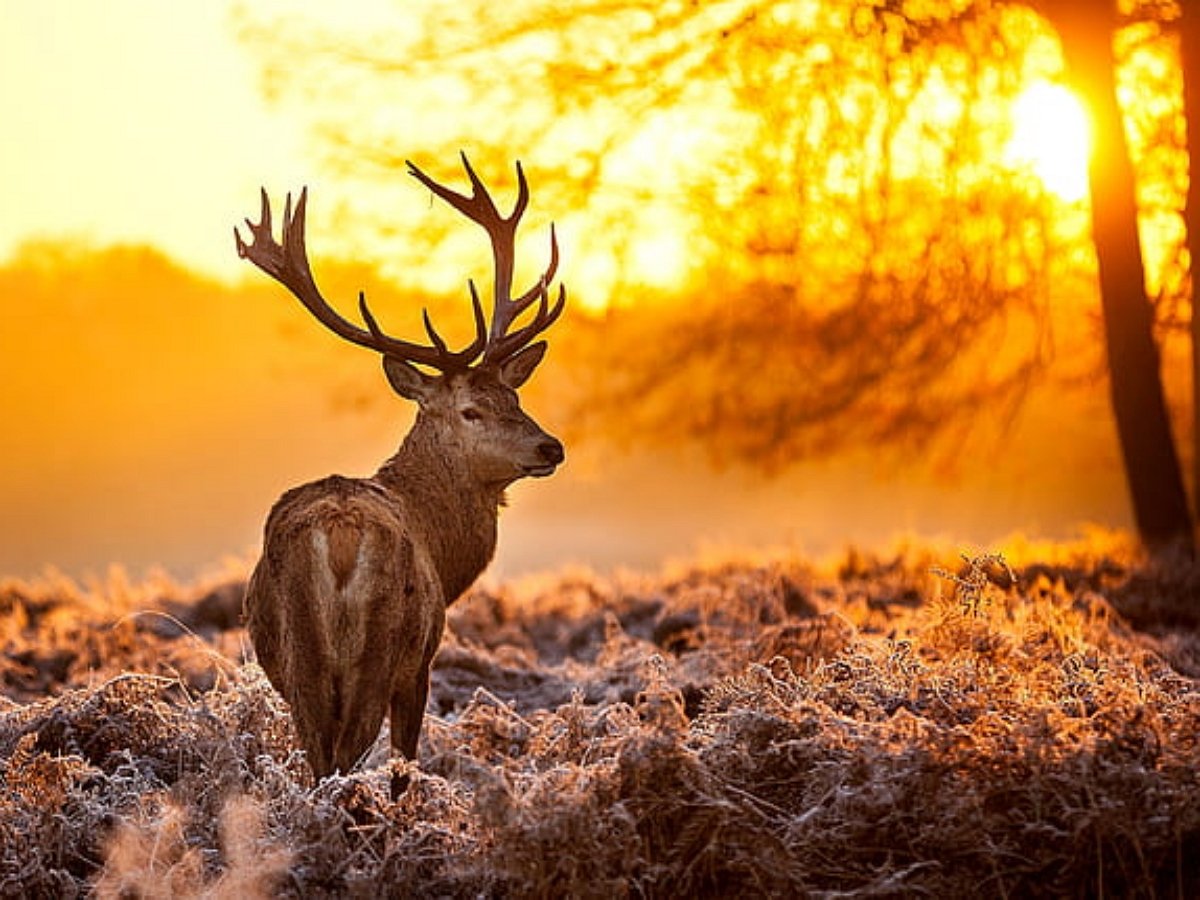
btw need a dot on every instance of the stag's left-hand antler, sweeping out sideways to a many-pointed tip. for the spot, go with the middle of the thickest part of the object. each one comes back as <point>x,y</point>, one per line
<point>289,265</point>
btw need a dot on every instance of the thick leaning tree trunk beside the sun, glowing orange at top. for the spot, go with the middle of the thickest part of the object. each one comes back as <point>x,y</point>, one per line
<point>1139,404</point>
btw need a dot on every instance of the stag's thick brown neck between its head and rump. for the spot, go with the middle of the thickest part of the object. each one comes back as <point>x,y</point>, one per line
<point>455,514</point>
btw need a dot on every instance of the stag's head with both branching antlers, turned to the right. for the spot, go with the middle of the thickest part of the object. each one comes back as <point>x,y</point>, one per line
<point>469,404</point>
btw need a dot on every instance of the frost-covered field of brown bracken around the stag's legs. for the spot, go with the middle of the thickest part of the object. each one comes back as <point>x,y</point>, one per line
<point>919,724</point>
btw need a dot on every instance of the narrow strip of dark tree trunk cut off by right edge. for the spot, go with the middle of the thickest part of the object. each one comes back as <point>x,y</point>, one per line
<point>1190,35</point>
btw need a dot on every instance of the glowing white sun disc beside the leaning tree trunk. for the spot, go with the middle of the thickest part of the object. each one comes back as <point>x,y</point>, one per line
<point>1052,139</point>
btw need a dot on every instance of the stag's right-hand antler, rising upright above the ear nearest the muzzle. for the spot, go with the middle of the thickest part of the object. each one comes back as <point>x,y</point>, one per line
<point>502,231</point>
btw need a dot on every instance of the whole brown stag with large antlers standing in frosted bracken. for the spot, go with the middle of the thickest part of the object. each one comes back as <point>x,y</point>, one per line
<point>347,604</point>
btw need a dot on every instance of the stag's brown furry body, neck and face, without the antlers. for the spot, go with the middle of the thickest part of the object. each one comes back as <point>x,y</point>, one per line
<point>347,605</point>
